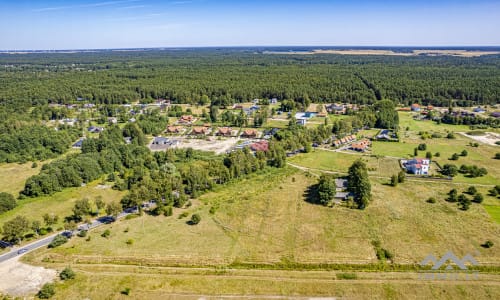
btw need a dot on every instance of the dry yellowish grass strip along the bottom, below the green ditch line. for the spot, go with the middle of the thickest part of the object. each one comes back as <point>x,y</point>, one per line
<point>108,282</point>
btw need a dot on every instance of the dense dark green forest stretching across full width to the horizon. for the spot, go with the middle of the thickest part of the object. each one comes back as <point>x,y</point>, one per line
<point>238,75</point>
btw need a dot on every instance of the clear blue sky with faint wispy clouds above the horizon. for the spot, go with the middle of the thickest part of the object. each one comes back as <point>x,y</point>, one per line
<point>86,24</point>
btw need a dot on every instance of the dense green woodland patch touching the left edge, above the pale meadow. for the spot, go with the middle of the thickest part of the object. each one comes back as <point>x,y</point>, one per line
<point>34,142</point>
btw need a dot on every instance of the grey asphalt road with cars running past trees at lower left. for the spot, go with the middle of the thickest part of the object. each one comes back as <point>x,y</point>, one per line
<point>18,251</point>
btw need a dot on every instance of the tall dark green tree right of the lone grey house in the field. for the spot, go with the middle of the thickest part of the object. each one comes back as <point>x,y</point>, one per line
<point>359,183</point>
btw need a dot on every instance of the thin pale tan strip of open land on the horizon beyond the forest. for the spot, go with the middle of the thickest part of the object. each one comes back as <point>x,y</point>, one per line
<point>462,53</point>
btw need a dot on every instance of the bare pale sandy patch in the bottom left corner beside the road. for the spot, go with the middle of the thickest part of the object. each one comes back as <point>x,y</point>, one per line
<point>18,279</point>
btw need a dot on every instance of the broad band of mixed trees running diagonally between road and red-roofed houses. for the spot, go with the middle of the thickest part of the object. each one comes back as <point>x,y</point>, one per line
<point>170,176</point>
